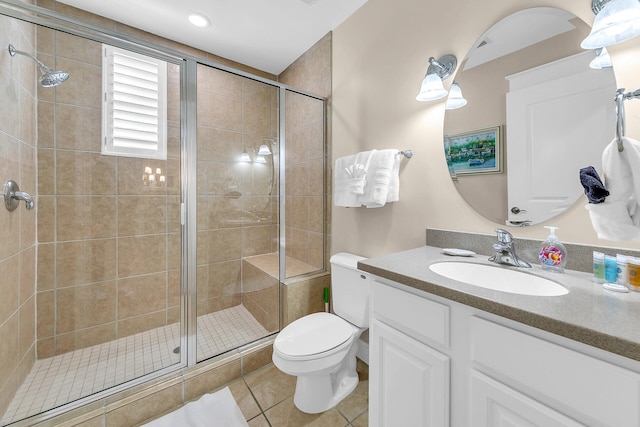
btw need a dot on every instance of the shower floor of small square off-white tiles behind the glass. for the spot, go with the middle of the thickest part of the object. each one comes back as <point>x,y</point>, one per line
<point>61,379</point>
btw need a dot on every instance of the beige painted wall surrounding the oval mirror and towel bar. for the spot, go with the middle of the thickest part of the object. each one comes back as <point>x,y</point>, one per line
<point>379,58</point>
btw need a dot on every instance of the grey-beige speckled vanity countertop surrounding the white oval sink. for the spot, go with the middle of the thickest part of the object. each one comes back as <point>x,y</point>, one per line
<point>588,313</point>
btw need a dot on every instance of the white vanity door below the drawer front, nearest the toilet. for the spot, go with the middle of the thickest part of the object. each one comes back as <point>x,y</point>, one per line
<point>408,382</point>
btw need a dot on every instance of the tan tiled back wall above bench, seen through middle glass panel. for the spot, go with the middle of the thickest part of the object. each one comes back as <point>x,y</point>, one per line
<point>237,201</point>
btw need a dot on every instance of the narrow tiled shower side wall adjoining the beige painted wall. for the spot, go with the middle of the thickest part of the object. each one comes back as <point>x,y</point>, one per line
<point>307,157</point>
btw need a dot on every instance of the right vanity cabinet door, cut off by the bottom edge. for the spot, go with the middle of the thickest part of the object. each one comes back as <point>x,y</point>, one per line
<point>495,405</point>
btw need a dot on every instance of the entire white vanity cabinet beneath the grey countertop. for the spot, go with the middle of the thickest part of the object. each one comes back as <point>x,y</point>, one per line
<point>435,362</point>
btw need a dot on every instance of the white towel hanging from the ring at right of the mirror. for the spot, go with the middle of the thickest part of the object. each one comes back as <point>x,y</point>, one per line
<point>618,218</point>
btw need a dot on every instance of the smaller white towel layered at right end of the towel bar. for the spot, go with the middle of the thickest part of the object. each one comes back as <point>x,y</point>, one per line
<point>382,179</point>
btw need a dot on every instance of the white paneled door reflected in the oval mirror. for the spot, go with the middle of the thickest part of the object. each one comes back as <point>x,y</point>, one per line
<point>564,101</point>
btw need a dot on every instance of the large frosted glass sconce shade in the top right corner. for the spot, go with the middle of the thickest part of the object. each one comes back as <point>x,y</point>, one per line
<point>616,21</point>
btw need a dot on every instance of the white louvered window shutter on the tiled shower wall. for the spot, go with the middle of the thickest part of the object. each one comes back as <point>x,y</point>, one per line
<point>134,104</point>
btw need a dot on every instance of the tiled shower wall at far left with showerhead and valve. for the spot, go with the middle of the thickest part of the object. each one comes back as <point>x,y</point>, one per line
<point>18,80</point>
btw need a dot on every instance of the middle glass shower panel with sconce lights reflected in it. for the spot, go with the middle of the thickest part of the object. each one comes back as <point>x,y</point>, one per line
<point>237,199</point>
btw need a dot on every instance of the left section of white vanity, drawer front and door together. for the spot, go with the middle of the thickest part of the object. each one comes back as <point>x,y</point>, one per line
<point>408,377</point>
